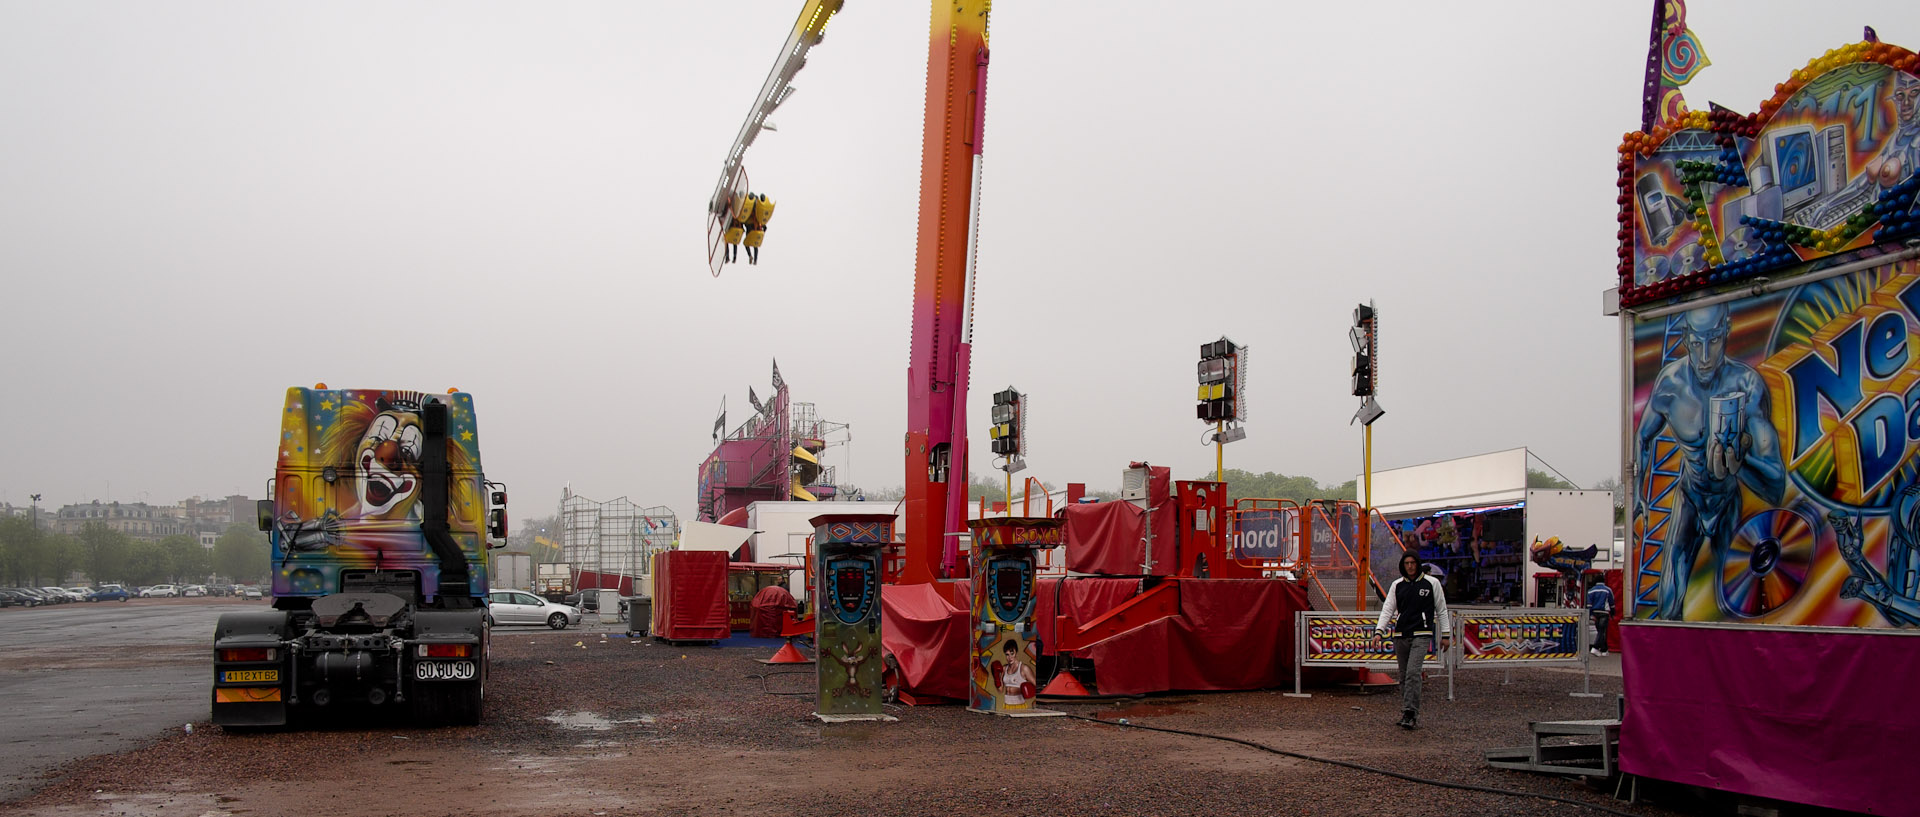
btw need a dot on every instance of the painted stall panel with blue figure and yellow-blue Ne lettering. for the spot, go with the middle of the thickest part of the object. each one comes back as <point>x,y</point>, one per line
<point>1777,444</point>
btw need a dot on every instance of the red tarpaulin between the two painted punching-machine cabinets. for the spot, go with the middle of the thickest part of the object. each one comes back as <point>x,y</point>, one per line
<point>928,638</point>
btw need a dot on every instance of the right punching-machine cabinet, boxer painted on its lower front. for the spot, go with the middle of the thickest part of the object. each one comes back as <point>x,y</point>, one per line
<point>1005,670</point>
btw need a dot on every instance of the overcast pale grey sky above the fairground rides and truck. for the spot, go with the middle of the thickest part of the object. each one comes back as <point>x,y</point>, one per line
<point>208,202</point>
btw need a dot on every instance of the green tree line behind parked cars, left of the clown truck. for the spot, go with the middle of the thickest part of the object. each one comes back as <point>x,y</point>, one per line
<point>32,557</point>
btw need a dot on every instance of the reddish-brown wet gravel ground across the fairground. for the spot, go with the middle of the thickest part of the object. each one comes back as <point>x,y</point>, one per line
<point>619,726</point>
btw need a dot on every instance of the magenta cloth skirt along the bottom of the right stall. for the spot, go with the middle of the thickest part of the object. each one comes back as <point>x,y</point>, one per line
<point>1792,714</point>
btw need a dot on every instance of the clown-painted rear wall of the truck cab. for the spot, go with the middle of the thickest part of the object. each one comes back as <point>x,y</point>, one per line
<point>348,488</point>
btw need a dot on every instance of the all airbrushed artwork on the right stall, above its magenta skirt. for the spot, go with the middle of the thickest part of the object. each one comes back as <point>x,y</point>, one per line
<point>1777,429</point>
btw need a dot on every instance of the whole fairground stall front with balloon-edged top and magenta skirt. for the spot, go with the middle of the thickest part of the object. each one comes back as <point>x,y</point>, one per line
<point>1769,308</point>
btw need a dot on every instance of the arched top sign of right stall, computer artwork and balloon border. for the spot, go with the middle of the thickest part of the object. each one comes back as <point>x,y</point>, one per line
<point>1827,168</point>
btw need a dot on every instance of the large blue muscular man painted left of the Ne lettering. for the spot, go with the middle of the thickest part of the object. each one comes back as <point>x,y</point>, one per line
<point>1717,411</point>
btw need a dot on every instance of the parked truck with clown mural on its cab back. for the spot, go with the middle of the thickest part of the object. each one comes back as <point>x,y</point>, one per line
<point>379,525</point>
